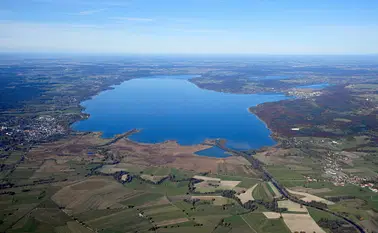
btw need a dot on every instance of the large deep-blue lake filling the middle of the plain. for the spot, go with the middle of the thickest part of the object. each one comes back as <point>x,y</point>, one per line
<point>172,108</point>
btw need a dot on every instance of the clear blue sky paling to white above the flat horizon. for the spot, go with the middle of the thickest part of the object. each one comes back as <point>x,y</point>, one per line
<point>190,26</point>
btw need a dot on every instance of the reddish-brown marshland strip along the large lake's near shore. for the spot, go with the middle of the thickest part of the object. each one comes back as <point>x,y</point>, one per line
<point>132,155</point>
